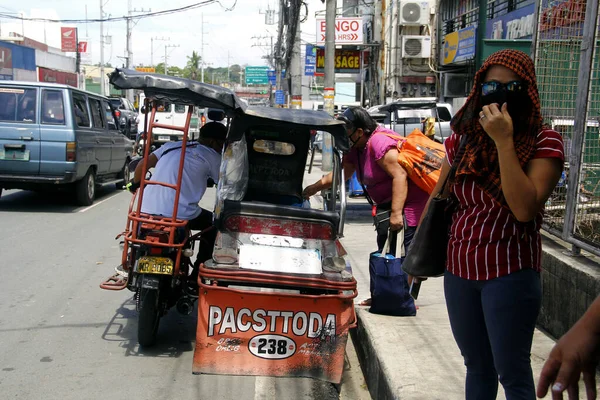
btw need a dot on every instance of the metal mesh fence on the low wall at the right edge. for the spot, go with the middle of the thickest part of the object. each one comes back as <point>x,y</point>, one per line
<point>567,60</point>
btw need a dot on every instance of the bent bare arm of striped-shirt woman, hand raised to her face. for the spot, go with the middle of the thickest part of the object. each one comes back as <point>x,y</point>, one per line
<point>527,190</point>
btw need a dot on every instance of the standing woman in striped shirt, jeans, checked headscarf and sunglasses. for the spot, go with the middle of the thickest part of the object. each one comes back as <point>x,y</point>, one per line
<point>506,171</point>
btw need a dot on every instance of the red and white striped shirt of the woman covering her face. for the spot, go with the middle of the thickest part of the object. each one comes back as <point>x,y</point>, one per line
<point>486,240</point>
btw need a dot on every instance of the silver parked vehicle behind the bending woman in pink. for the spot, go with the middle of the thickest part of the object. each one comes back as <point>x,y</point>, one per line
<point>403,116</point>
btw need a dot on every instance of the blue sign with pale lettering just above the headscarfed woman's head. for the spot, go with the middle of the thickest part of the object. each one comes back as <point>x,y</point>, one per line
<point>516,24</point>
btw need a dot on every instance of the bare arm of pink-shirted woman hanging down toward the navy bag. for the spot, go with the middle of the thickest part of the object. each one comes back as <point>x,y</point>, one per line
<point>389,163</point>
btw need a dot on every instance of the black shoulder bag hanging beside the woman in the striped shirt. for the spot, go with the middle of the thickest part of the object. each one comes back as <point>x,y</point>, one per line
<point>426,256</point>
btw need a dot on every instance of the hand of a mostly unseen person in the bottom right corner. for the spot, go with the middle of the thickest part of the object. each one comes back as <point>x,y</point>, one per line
<point>575,353</point>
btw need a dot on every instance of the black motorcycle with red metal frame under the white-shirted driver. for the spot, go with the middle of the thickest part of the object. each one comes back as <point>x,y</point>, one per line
<point>156,255</point>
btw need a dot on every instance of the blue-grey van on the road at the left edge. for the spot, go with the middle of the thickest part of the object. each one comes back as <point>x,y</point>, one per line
<point>56,136</point>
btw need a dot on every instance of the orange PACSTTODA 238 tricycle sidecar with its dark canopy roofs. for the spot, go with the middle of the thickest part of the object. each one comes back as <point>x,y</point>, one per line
<point>276,298</point>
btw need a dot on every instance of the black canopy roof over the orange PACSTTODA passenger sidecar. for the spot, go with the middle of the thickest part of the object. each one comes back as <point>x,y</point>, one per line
<point>293,119</point>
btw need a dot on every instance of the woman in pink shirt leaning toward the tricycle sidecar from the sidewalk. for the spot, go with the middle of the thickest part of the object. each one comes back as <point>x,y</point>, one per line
<point>374,156</point>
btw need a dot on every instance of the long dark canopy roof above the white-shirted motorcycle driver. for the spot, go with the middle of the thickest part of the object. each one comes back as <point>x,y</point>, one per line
<point>177,90</point>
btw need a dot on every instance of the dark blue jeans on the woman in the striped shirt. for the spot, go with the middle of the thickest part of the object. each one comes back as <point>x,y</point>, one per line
<point>493,323</point>
